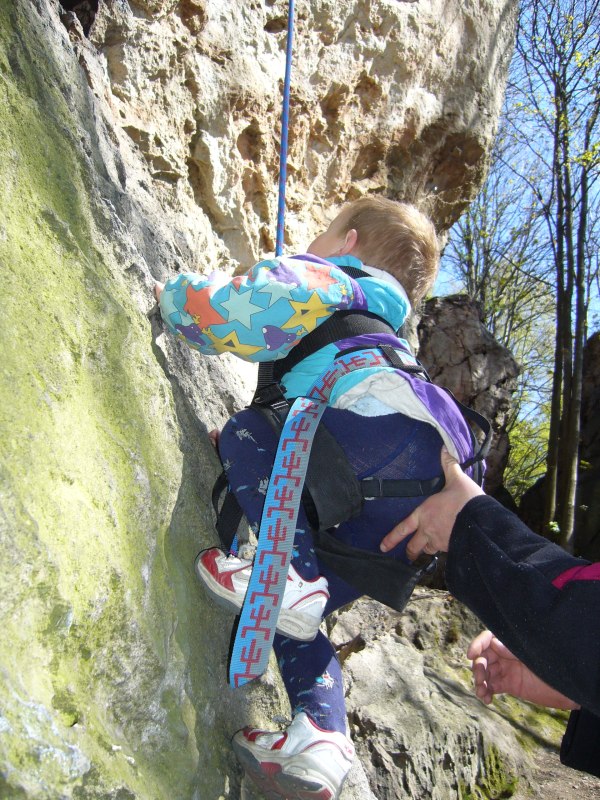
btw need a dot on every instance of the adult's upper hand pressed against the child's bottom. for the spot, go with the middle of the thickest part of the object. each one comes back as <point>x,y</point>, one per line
<point>433,520</point>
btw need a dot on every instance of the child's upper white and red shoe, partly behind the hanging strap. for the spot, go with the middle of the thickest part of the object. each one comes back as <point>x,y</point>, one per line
<point>227,577</point>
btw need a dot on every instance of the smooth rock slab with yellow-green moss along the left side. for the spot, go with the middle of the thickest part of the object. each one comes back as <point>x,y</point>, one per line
<point>100,668</point>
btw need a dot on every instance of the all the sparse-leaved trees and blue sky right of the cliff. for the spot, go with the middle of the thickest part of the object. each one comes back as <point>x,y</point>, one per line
<point>527,248</point>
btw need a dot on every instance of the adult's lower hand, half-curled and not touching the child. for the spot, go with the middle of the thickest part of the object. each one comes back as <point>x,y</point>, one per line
<point>496,670</point>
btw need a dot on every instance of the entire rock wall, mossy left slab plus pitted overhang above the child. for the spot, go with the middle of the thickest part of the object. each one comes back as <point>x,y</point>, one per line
<point>150,147</point>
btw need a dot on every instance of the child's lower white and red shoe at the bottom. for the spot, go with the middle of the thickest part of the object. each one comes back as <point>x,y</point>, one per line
<point>301,762</point>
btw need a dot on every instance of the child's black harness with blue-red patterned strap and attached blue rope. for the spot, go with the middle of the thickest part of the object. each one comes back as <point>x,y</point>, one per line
<point>311,468</point>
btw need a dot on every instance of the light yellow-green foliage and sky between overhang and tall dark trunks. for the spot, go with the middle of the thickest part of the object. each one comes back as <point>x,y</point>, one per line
<point>498,254</point>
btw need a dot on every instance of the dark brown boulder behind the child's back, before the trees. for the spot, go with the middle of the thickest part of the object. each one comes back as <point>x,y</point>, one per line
<point>460,354</point>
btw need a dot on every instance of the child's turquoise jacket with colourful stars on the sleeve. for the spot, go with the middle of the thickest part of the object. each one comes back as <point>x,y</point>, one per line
<point>261,315</point>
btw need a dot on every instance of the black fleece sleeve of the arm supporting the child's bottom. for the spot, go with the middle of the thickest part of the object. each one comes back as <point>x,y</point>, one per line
<point>503,572</point>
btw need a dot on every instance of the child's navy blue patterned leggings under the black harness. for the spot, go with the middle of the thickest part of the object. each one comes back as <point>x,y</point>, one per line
<point>391,446</point>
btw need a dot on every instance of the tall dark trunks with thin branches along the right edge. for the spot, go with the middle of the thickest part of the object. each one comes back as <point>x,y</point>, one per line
<point>555,96</point>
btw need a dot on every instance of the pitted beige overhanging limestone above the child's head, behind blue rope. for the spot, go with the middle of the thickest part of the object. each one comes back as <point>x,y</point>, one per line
<point>393,97</point>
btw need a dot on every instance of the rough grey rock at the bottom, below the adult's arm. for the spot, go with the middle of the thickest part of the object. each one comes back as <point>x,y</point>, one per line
<point>418,729</point>
